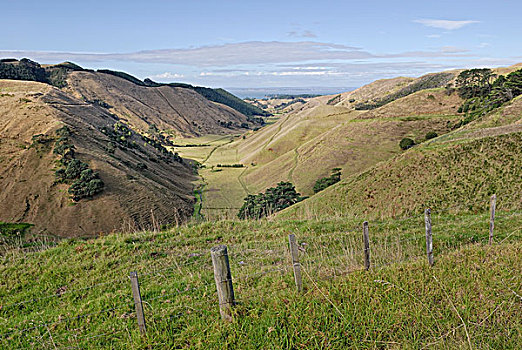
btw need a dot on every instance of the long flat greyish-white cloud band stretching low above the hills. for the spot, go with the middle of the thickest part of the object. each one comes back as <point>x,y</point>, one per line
<point>230,55</point>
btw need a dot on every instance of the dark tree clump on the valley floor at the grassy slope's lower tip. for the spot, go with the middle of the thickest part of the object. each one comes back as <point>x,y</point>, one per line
<point>273,200</point>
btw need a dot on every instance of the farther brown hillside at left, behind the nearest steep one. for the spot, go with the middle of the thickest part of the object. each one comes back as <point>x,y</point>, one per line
<point>176,111</point>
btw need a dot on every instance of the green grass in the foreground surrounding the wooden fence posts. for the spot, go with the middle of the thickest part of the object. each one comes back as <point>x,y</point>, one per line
<point>471,297</point>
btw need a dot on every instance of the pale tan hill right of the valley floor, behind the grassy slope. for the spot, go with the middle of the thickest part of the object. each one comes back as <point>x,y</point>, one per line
<point>304,145</point>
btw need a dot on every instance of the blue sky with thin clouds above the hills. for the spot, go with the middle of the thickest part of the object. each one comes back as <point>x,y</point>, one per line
<point>268,43</point>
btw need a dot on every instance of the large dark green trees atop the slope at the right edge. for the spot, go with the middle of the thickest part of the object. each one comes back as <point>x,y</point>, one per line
<point>485,91</point>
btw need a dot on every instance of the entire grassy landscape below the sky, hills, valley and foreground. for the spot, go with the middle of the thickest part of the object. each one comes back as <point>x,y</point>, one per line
<point>173,188</point>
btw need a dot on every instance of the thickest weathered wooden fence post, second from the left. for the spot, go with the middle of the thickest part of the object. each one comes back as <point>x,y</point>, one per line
<point>223,278</point>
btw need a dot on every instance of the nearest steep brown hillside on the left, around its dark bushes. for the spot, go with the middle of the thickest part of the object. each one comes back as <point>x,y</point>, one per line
<point>142,180</point>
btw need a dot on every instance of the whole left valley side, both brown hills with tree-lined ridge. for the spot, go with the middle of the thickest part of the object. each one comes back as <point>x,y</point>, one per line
<point>84,152</point>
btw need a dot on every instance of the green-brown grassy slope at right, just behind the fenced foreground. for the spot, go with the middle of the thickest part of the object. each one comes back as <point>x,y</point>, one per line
<point>454,170</point>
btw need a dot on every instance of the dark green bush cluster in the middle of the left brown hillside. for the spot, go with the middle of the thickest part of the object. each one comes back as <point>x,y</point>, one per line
<point>84,182</point>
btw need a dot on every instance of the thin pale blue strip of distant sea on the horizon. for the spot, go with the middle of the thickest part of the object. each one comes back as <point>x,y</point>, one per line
<point>264,92</point>
